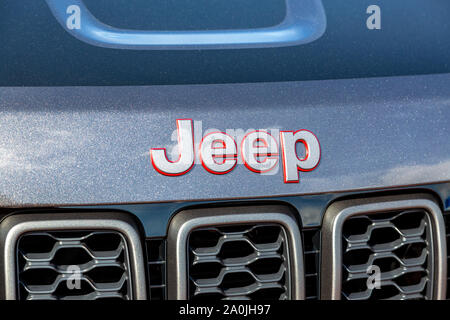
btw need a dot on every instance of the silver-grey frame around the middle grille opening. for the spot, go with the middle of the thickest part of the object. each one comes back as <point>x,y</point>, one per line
<point>186,221</point>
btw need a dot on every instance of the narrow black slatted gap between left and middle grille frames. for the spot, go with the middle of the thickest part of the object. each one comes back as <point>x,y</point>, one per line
<point>156,254</point>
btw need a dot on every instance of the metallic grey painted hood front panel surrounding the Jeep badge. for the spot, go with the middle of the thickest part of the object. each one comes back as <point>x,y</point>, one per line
<point>86,145</point>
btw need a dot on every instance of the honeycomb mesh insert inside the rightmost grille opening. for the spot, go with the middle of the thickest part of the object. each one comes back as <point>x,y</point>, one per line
<point>399,244</point>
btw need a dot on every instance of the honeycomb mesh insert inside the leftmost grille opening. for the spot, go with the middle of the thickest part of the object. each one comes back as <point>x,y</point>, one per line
<point>73,265</point>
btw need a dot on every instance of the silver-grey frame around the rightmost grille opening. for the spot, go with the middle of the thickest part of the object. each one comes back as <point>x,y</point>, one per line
<point>332,243</point>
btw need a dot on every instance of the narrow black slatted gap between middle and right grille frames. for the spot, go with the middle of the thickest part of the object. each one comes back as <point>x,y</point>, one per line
<point>311,240</point>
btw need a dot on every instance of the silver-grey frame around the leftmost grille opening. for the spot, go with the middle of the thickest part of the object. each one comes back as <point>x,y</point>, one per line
<point>13,227</point>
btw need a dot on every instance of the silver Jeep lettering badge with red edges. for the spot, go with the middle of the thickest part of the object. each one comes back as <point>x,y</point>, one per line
<point>259,151</point>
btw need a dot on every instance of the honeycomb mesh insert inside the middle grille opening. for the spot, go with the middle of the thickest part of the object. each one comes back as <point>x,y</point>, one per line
<point>245,262</point>
